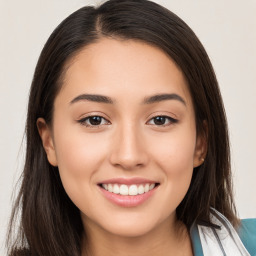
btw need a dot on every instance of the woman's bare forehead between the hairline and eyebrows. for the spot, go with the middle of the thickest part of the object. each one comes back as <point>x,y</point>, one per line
<point>112,66</point>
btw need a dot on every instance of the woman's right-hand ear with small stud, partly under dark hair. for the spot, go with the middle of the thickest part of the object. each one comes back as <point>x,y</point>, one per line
<point>201,147</point>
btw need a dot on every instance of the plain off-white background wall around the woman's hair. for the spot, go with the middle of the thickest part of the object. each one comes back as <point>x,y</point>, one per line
<point>227,29</point>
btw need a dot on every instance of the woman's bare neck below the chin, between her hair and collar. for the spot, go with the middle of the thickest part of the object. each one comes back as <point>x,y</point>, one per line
<point>169,238</point>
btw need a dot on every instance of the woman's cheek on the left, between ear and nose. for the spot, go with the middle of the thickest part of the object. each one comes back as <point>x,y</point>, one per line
<point>79,157</point>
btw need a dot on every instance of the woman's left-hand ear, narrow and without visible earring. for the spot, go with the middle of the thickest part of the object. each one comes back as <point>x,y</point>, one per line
<point>47,140</point>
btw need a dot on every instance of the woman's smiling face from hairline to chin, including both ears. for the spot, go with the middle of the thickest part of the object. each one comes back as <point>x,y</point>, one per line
<point>124,123</point>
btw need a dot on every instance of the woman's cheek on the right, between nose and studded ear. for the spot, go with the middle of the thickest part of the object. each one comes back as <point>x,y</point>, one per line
<point>174,155</point>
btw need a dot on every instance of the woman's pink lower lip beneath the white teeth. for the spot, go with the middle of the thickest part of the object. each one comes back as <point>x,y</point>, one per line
<point>127,201</point>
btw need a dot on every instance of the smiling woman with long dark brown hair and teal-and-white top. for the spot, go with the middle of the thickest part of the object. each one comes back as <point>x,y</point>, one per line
<point>127,142</point>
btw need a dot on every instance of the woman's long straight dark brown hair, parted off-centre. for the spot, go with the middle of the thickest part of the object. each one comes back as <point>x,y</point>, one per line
<point>50,223</point>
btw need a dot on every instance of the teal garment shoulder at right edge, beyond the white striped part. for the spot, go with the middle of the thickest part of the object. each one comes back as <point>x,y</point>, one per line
<point>247,233</point>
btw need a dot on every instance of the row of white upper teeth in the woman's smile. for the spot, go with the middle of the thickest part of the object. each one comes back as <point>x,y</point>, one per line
<point>131,190</point>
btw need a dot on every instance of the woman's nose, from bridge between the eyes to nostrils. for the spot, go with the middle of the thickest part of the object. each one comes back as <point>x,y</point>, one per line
<point>128,149</point>
